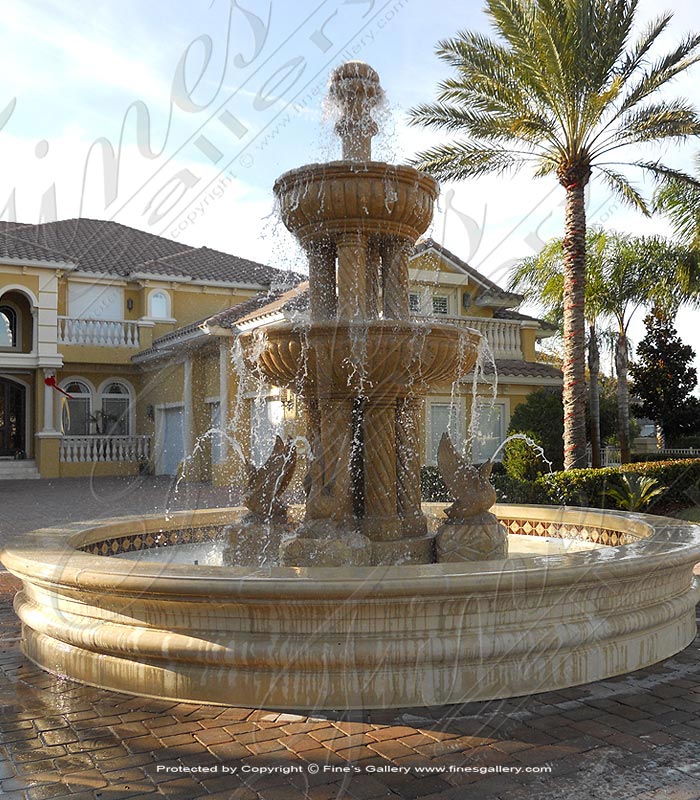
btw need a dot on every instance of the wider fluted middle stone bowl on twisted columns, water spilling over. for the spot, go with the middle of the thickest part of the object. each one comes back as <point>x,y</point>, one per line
<point>378,357</point>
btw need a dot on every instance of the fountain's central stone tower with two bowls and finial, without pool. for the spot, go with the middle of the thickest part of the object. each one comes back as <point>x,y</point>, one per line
<point>361,365</point>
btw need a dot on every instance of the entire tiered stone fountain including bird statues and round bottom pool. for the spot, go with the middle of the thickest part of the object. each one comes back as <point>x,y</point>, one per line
<point>381,630</point>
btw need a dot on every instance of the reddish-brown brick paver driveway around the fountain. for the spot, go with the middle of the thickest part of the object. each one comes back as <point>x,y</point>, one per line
<point>635,737</point>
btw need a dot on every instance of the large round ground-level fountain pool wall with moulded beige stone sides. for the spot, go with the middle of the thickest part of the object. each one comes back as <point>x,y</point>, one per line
<point>362,637</point>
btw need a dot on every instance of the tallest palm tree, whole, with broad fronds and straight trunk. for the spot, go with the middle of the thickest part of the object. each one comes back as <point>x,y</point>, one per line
<point>561,88</point>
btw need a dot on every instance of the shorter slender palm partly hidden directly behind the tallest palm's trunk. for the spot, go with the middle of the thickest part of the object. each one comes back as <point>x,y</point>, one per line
<point>541,279</point>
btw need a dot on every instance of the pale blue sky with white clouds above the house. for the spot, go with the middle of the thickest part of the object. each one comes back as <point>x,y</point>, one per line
<point>213,99</point>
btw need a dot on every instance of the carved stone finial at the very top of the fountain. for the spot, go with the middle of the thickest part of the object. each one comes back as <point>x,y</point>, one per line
<point>355,87</point>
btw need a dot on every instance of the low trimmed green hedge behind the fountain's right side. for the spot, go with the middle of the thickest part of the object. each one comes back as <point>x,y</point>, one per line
<point>586,487</point>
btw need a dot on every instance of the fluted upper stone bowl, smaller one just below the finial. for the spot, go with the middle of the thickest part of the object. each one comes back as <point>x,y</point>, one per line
<point>332,198</point>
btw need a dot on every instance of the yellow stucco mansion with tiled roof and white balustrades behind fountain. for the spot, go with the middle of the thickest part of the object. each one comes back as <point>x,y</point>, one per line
<point>117,351</point>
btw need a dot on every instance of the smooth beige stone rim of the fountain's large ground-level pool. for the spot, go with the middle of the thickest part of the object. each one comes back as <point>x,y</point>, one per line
<point>50,556</point>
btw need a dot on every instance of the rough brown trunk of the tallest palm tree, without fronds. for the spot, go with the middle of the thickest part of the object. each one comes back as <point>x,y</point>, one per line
<point>573,368</point>
